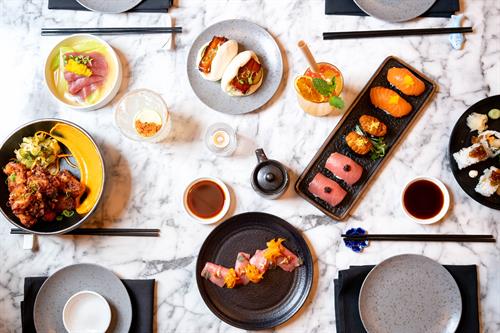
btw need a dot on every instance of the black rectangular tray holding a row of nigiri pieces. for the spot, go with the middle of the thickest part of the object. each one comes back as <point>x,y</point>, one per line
<point>396,128</point>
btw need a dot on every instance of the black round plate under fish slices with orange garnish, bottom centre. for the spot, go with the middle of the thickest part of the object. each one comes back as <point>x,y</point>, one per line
<point>273,300</point>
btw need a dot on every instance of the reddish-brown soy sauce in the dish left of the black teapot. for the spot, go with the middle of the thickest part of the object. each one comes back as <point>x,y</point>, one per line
<point>205,199</point>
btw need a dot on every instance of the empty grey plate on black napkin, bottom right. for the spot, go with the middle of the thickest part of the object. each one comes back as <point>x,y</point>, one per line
<point>412,294</point>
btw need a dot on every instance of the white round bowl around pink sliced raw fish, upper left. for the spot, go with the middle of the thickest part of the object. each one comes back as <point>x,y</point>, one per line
<point>115,85</point>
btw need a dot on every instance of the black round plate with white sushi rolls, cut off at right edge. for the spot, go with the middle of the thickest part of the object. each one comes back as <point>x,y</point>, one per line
<point>461,137</point>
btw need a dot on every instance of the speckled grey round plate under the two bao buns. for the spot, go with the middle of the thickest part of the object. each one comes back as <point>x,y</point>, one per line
<point>249,36</point>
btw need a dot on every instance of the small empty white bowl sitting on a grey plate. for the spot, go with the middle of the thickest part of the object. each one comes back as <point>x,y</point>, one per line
<point>86,312</point>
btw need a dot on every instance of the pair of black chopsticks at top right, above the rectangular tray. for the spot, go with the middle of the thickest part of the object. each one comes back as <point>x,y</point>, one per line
<point>393,33</point>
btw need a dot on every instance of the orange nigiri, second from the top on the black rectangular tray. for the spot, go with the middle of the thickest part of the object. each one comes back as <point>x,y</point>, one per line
<point>390,102</point>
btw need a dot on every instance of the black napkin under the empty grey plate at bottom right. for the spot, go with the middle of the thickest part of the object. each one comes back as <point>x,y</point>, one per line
<point>348,286</point>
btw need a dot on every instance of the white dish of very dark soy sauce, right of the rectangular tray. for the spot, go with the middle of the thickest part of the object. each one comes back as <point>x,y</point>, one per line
<point>426,200</point>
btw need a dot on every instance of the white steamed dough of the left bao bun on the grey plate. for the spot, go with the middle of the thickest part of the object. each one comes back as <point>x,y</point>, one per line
<point>225,53</point>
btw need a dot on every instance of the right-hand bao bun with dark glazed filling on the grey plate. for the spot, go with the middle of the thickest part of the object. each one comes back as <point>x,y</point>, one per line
<point>232,72</point>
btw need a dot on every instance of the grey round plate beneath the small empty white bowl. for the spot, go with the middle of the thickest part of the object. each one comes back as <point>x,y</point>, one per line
<point>61,285</point>
